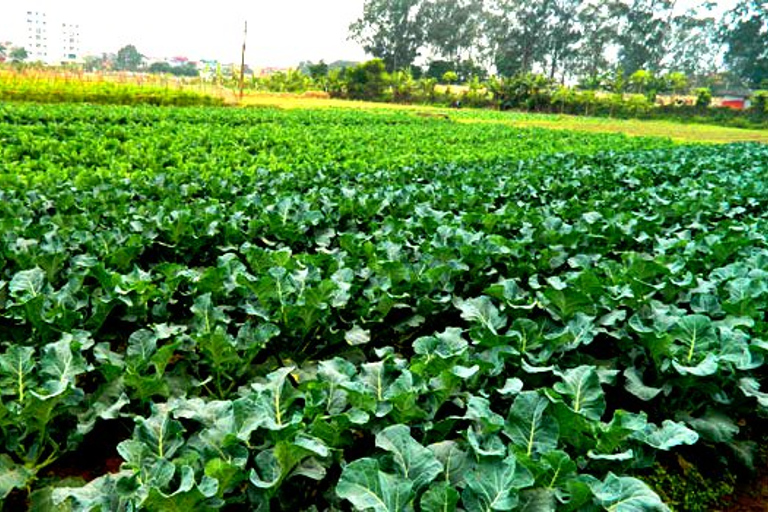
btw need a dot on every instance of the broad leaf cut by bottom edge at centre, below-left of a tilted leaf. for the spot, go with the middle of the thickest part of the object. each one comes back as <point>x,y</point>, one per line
<point>368,488</point>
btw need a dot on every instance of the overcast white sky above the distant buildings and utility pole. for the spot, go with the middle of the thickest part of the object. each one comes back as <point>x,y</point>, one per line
<point>280,32</point>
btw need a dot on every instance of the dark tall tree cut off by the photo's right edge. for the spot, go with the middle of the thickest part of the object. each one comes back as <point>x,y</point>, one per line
<point>745,33</point>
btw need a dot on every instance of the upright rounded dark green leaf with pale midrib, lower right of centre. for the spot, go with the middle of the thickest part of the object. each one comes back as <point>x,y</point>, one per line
<point>527,426</point>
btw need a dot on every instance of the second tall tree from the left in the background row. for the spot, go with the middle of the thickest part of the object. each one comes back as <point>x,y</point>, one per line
<point>451,27</point>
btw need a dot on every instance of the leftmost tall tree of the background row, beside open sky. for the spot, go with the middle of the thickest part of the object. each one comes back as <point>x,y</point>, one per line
<point>391,30</point>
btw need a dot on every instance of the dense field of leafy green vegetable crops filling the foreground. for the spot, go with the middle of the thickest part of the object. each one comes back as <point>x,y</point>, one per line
<point>334,310</point>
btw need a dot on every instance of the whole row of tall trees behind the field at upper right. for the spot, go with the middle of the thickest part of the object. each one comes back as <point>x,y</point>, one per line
<point>569,40</point>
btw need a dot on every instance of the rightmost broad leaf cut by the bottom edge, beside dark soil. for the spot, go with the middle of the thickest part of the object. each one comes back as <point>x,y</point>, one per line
<point>626,494</point>
